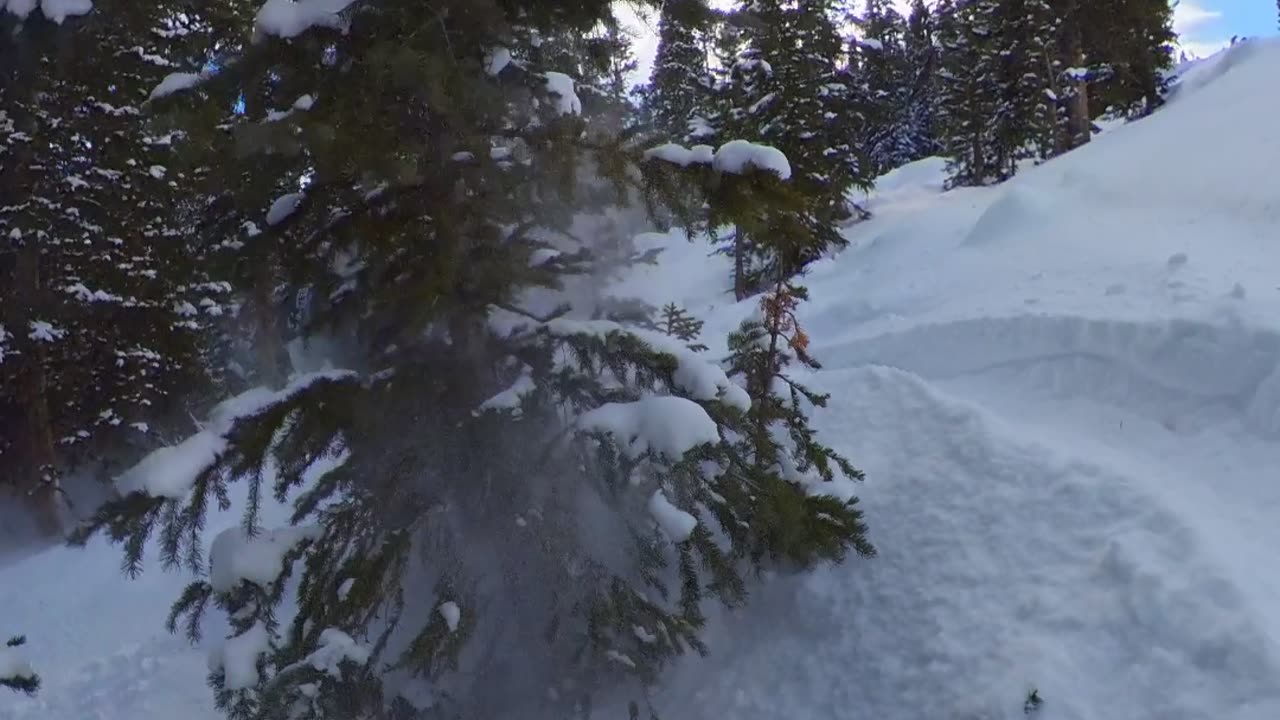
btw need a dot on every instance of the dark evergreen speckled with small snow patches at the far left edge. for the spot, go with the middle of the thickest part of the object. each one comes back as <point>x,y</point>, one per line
<point>102,322</point>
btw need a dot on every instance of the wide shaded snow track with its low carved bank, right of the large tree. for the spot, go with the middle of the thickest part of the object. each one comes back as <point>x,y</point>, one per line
<point>1062,504</point>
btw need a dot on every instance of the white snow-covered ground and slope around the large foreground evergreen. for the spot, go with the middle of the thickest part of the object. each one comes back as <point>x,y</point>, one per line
<point>1066,393</point>
